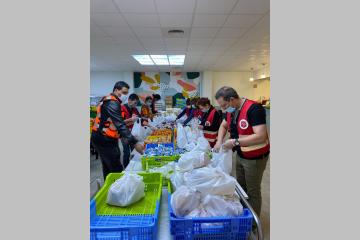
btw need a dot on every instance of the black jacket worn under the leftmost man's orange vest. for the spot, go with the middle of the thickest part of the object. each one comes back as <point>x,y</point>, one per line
<point>112,109</point>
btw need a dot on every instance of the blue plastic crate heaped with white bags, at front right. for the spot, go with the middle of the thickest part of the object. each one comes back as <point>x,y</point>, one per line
<point>232,228</point>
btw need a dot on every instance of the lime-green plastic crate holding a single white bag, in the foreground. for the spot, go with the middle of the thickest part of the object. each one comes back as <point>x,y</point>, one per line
<point>147,205</point>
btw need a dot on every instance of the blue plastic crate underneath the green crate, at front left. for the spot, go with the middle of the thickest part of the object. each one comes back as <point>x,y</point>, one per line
<point>140,227</point>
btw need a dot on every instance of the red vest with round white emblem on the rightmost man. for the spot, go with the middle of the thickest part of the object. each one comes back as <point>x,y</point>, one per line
<point>244,128</point>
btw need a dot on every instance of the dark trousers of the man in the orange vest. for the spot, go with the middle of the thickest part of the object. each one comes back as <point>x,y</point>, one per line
<point>109,152</point>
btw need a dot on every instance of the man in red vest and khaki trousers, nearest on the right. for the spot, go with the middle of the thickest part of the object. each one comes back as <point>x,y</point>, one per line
<point>246,122</point>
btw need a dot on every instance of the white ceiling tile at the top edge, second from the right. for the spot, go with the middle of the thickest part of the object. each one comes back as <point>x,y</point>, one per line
<point>215,6</point>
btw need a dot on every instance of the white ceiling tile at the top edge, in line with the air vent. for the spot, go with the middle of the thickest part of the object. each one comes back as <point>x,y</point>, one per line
<point>175,6</point>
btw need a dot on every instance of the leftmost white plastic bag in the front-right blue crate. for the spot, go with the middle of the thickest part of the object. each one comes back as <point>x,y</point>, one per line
<point>184,200</point>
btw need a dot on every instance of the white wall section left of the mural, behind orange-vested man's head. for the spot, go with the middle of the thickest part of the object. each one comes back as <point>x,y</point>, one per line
<point>102,83</point>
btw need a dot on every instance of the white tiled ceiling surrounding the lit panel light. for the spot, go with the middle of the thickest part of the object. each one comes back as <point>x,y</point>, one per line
<point>220,35</point>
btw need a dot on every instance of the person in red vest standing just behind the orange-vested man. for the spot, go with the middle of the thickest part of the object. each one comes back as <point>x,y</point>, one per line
<point>130,115</point>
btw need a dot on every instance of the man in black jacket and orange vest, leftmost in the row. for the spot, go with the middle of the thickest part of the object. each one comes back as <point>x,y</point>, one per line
<point>109,126</point>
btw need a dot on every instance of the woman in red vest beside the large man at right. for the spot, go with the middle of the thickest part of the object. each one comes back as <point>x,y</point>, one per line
<point>210,121</point>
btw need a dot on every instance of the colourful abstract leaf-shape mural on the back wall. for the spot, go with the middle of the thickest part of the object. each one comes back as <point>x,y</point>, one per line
<point>175,84</point>
